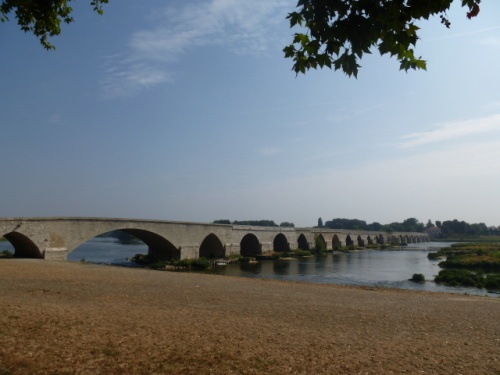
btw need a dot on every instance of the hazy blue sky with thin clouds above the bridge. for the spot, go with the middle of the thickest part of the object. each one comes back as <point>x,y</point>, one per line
<point>187,110</point>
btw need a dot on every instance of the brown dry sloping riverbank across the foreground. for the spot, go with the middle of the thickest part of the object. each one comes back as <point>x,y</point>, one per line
<point>86,319</point>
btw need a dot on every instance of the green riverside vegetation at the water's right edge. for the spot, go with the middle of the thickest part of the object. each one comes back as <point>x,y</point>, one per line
<point>469,264</point>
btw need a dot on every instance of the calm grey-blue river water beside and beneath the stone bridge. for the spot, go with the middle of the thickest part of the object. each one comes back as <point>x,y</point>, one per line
<point>371,268</point>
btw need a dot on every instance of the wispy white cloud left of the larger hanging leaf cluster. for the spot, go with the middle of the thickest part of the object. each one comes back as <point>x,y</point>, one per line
<point>237,25</point>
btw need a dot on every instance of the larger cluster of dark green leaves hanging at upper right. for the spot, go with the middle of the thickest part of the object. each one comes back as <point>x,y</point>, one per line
<point>339,32</point>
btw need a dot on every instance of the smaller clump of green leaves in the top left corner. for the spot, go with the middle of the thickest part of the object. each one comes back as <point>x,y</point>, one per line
<point>43,18</point>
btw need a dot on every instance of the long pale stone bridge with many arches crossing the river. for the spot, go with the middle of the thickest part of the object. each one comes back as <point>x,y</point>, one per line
<point>54,238</point>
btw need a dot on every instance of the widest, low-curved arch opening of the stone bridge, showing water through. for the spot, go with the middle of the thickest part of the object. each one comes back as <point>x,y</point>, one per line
<point>118,246</point>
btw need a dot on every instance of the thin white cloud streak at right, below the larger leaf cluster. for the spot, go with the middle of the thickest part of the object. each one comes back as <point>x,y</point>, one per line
<point>451,130</point>
